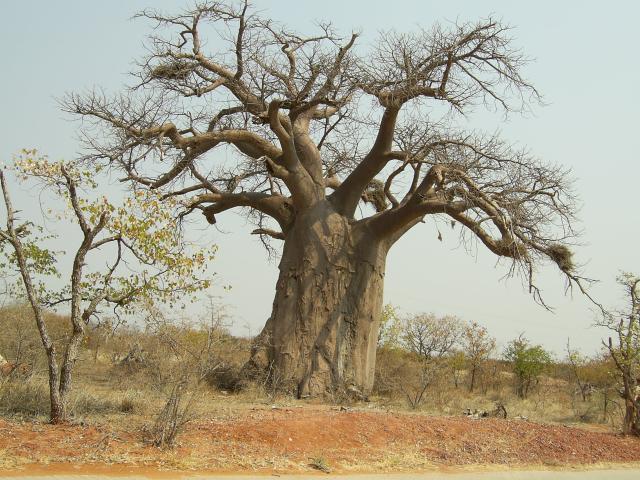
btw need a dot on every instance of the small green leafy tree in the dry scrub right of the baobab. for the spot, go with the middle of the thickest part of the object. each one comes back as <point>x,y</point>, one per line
<point>528,362</point>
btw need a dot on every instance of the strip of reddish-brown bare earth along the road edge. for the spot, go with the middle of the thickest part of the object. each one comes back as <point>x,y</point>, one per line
<point>290,439</point>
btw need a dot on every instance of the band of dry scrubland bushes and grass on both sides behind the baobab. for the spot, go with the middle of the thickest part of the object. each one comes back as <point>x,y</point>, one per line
<point>424,364</point>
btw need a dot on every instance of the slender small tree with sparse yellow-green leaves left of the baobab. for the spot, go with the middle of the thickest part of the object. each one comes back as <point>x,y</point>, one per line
<point>134,248</point>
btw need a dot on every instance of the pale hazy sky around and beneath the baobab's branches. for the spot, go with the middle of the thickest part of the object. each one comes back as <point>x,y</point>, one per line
<point>586,66</point>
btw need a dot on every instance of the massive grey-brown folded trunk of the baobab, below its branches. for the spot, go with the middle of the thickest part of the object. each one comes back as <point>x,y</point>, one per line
<point>323,330</point>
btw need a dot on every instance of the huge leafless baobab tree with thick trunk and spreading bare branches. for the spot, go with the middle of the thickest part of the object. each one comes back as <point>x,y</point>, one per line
<point>338,152</point>
